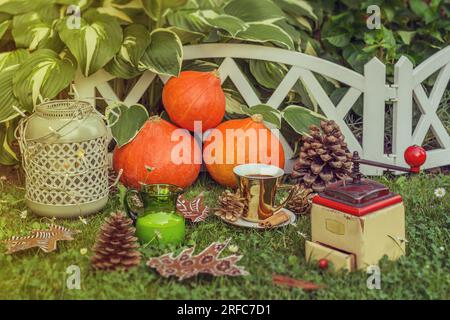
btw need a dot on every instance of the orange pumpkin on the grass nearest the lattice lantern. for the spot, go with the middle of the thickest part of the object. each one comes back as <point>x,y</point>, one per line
<point>152,156</point>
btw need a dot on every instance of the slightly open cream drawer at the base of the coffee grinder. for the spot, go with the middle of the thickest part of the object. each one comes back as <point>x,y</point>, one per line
<point>315,251</point>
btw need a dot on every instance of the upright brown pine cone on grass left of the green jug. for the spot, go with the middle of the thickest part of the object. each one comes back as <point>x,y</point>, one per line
<point>116,245</point>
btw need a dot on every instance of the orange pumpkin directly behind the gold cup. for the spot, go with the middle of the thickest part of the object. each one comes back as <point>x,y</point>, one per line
<point>240,141</point>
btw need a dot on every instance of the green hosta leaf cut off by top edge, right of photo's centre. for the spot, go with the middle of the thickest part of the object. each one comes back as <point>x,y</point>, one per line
<point>254,10</point>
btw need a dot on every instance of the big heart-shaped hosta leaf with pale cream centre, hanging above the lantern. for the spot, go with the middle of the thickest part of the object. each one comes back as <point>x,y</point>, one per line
<point>95,43</point>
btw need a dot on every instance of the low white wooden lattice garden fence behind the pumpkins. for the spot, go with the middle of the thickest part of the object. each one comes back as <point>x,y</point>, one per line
<point>371,84</point>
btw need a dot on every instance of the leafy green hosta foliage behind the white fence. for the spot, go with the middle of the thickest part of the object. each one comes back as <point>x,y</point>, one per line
<point>128,37</point>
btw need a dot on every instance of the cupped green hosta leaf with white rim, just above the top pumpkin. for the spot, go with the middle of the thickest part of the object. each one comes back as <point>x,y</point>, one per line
<point>164,55</point>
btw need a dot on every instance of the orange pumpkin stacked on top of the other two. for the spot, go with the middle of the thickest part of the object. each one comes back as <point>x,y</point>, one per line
<point>194,96</point>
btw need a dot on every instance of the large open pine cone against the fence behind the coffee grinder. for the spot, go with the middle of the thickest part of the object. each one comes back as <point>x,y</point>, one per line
<point>324,157</point>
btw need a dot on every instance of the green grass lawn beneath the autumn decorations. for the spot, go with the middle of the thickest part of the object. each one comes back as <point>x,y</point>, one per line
<point>422,274</point>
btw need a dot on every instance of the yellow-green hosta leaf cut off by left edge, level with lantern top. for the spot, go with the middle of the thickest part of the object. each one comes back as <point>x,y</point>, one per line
<point>9,65</point>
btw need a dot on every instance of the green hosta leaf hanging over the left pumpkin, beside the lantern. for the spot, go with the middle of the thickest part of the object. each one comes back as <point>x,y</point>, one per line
<point>126,122</point>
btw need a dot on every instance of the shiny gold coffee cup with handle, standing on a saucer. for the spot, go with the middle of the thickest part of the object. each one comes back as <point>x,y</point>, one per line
<point>259,183</point>
